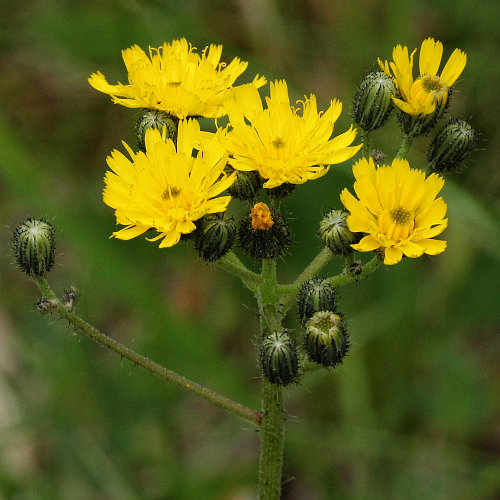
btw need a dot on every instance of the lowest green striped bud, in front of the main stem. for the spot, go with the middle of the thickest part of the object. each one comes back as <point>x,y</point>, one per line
<point>279,359</point>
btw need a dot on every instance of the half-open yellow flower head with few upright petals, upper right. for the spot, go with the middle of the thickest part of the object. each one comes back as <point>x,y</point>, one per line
<point>430,90</point>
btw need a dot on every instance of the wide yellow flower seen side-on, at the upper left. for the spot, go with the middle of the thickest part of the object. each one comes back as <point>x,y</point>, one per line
<point>175,79</point>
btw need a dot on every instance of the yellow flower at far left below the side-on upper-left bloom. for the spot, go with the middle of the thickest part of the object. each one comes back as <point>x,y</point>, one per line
<point>166,188</point>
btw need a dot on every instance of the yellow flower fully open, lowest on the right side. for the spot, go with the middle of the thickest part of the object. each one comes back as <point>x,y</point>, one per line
<point>397,208</point>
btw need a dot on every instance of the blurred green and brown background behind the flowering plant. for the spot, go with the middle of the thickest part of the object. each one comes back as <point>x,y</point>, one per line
<point>414,410</point>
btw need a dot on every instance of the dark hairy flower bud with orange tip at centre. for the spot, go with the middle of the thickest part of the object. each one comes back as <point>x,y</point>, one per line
<point>265,235</point>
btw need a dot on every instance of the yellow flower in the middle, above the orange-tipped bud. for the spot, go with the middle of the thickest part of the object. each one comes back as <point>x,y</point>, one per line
<point>281,144</point>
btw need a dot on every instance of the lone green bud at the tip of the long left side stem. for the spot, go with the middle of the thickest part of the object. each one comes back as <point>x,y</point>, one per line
<point>34,245</point>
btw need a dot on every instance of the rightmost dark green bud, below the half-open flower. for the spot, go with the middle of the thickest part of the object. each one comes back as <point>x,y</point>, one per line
<point>451,146</point>
